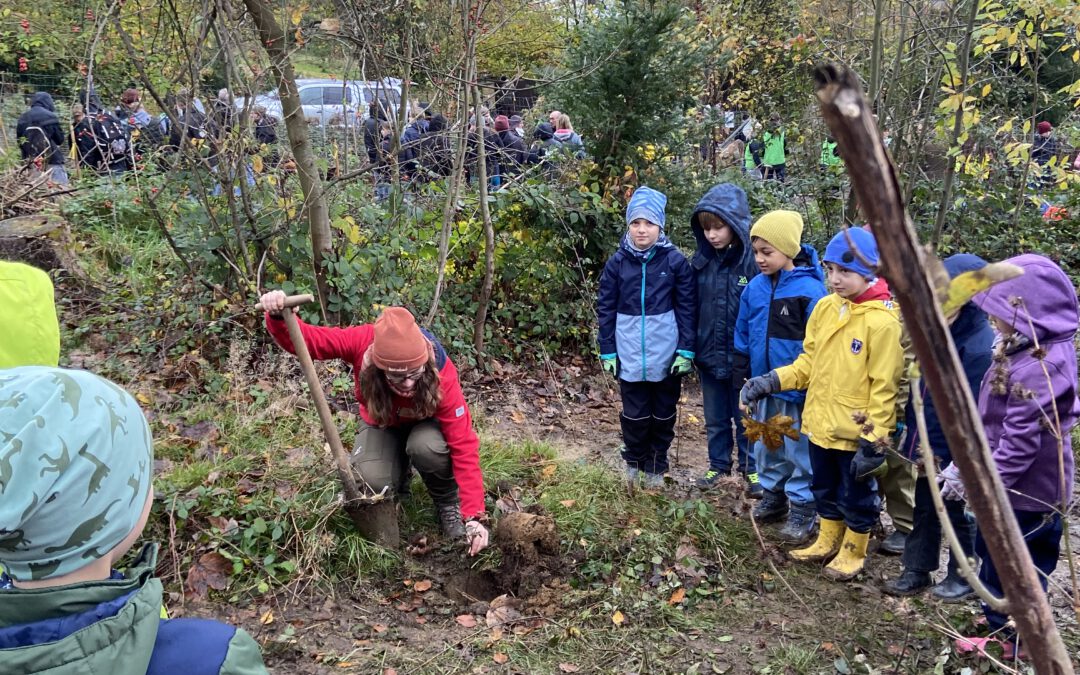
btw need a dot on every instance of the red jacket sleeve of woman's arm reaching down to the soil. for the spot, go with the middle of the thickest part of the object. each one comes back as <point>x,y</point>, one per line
<point>456,423</point>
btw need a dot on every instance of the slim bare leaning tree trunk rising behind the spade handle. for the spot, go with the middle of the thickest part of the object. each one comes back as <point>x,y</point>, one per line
<point>274,40</point>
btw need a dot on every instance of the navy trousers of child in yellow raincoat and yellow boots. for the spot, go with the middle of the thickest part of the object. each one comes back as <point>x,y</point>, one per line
<point>839,495</point>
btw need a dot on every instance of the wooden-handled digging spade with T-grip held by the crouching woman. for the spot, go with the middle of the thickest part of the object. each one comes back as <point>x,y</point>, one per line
<point>374,515</point>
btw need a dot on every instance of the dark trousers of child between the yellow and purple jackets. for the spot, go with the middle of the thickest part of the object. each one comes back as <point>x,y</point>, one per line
<point>923,548</point>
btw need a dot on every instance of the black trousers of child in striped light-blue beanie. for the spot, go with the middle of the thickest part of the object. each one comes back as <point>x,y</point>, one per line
<point>649,423</point>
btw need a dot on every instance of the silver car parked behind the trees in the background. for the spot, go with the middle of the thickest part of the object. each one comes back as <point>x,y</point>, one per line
<point>330,102</point>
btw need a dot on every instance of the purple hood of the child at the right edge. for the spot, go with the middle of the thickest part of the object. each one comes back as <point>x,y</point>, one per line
<point>1047,296</point>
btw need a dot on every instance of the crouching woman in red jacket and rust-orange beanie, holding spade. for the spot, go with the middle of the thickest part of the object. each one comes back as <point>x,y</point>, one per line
<point>413,411</point>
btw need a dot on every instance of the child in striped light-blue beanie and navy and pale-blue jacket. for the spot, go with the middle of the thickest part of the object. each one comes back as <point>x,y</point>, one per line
<point>646,315</point>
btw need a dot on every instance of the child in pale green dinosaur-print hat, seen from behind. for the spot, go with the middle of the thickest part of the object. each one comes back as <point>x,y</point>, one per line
<point>76,468</point>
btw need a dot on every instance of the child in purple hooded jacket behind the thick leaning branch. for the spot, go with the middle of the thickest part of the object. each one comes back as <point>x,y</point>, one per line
<point>1035,317</point>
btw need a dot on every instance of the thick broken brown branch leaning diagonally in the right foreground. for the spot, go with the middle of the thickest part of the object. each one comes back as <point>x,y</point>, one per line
<point>876,184</point>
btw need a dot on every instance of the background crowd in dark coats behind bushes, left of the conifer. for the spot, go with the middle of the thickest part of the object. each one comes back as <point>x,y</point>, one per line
<point>112,142</point>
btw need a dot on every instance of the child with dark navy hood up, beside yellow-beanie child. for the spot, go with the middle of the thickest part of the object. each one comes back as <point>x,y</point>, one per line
<point>723,267</point>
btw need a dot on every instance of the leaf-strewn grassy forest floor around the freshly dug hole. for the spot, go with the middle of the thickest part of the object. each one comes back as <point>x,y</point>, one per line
<point>669,583</point>
